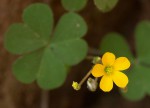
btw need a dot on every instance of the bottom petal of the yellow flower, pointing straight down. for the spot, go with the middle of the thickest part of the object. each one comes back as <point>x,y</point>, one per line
<point>106,83</point>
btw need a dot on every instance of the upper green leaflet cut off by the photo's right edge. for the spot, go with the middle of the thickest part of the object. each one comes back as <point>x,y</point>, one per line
<point>142,36</point>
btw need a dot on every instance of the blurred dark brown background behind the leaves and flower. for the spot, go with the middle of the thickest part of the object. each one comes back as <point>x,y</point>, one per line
<point>122,19</point>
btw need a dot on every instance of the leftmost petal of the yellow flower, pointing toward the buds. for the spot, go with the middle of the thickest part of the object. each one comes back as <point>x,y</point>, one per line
<point>98,70</point>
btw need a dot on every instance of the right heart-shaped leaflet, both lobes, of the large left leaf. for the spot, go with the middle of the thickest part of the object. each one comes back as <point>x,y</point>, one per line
<point>66,42</point>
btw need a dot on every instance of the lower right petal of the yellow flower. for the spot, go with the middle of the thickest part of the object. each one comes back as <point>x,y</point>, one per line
<point>120,79</point>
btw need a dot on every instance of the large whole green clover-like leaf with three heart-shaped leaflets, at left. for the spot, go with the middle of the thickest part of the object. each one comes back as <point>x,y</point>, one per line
<point>46,57</point>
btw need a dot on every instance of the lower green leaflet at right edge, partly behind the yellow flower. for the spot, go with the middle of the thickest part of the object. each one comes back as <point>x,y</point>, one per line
<point>138,85</point>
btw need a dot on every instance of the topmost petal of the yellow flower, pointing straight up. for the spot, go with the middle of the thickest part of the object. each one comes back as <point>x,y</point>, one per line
<point>108,59</point>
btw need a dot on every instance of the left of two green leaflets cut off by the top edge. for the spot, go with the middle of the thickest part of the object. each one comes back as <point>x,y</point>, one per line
<point>73,5</point>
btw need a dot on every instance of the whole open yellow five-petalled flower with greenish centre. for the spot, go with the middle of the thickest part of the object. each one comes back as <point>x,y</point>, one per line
<point>109,70</point>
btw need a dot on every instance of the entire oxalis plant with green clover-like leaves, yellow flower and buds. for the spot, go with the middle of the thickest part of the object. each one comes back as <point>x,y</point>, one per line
<point>44,49</point>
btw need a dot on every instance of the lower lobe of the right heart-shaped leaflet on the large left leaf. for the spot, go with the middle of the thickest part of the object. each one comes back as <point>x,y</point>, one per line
<point>70,52</point>
